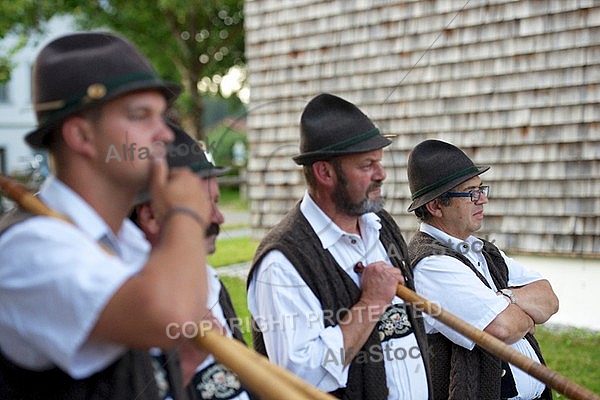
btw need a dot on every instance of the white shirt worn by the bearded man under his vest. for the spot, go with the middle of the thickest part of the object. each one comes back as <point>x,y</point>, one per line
<point>291,317</point>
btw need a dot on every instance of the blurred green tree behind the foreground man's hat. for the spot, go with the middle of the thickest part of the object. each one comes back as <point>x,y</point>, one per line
<point>187,40</point>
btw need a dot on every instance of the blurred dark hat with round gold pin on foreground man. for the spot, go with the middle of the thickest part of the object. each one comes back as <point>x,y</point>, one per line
<point>82,70</point>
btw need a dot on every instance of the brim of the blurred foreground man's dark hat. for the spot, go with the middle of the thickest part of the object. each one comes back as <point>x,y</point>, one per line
<point>171,90</point>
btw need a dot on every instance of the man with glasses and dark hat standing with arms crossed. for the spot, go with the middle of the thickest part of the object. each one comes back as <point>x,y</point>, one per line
<point>471,278</point>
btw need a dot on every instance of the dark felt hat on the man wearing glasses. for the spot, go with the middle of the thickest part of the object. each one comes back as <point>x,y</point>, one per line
<point>435,167</point>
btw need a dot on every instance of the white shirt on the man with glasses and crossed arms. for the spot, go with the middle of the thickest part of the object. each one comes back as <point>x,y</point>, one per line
<point>455,287</point>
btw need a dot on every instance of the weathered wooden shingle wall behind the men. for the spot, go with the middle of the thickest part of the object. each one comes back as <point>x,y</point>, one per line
<point>516,84</point>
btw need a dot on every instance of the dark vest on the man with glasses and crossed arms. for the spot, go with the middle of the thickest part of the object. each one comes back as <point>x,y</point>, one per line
<point>458,373</point>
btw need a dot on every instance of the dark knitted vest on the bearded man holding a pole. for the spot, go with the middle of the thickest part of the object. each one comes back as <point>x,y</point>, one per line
<point>332,286</point>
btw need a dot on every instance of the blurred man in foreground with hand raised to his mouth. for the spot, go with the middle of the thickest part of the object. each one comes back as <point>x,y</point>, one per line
<point>84,300</point>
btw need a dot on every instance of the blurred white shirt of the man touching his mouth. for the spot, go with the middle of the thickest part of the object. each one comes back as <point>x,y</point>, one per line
<point>55,280</point>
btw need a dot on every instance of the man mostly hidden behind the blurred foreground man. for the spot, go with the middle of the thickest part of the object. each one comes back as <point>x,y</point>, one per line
<point>208,378</point>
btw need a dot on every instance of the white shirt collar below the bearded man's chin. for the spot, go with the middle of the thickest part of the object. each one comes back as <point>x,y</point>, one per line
<point>327,231</point>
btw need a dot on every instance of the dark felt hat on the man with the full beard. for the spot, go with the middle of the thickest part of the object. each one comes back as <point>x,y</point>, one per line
<point>331,126</point>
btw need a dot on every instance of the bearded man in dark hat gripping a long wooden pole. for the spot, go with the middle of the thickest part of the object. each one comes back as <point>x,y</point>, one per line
<point>323,282</point>
